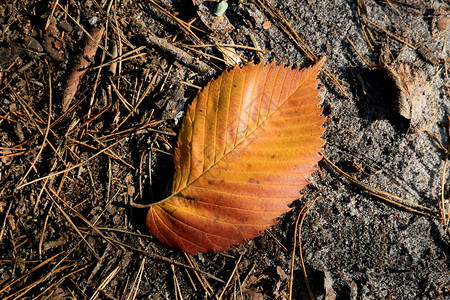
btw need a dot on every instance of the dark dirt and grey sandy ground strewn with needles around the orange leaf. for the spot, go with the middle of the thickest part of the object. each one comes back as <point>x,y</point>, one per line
<point>66,181</point>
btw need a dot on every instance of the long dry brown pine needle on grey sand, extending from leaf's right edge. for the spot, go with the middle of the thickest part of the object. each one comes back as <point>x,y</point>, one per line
<point>384,195</point>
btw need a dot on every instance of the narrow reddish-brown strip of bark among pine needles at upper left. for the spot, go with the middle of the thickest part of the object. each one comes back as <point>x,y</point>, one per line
<point>83,61</point>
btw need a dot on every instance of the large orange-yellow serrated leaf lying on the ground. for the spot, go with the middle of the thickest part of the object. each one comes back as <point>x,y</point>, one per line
<point>247,145</point>
